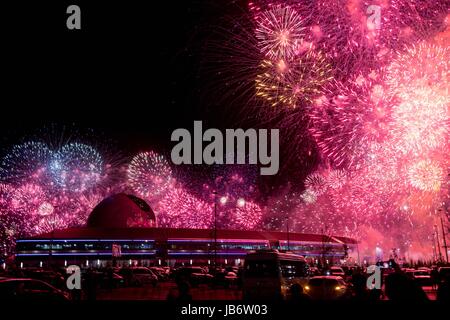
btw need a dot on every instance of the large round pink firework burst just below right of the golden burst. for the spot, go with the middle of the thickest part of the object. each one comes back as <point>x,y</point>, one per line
<point>351,119</point>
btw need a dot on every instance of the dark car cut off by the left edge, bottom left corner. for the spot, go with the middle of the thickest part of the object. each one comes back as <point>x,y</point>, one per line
<point>30,290</point>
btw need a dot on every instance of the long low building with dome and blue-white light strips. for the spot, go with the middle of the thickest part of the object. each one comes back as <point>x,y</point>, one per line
<point>122,230</point>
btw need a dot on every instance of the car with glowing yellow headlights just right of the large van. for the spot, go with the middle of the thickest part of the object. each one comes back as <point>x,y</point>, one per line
<point>327,288</point>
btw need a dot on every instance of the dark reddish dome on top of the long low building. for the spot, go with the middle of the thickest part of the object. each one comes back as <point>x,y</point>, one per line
<point>122,211</point>
